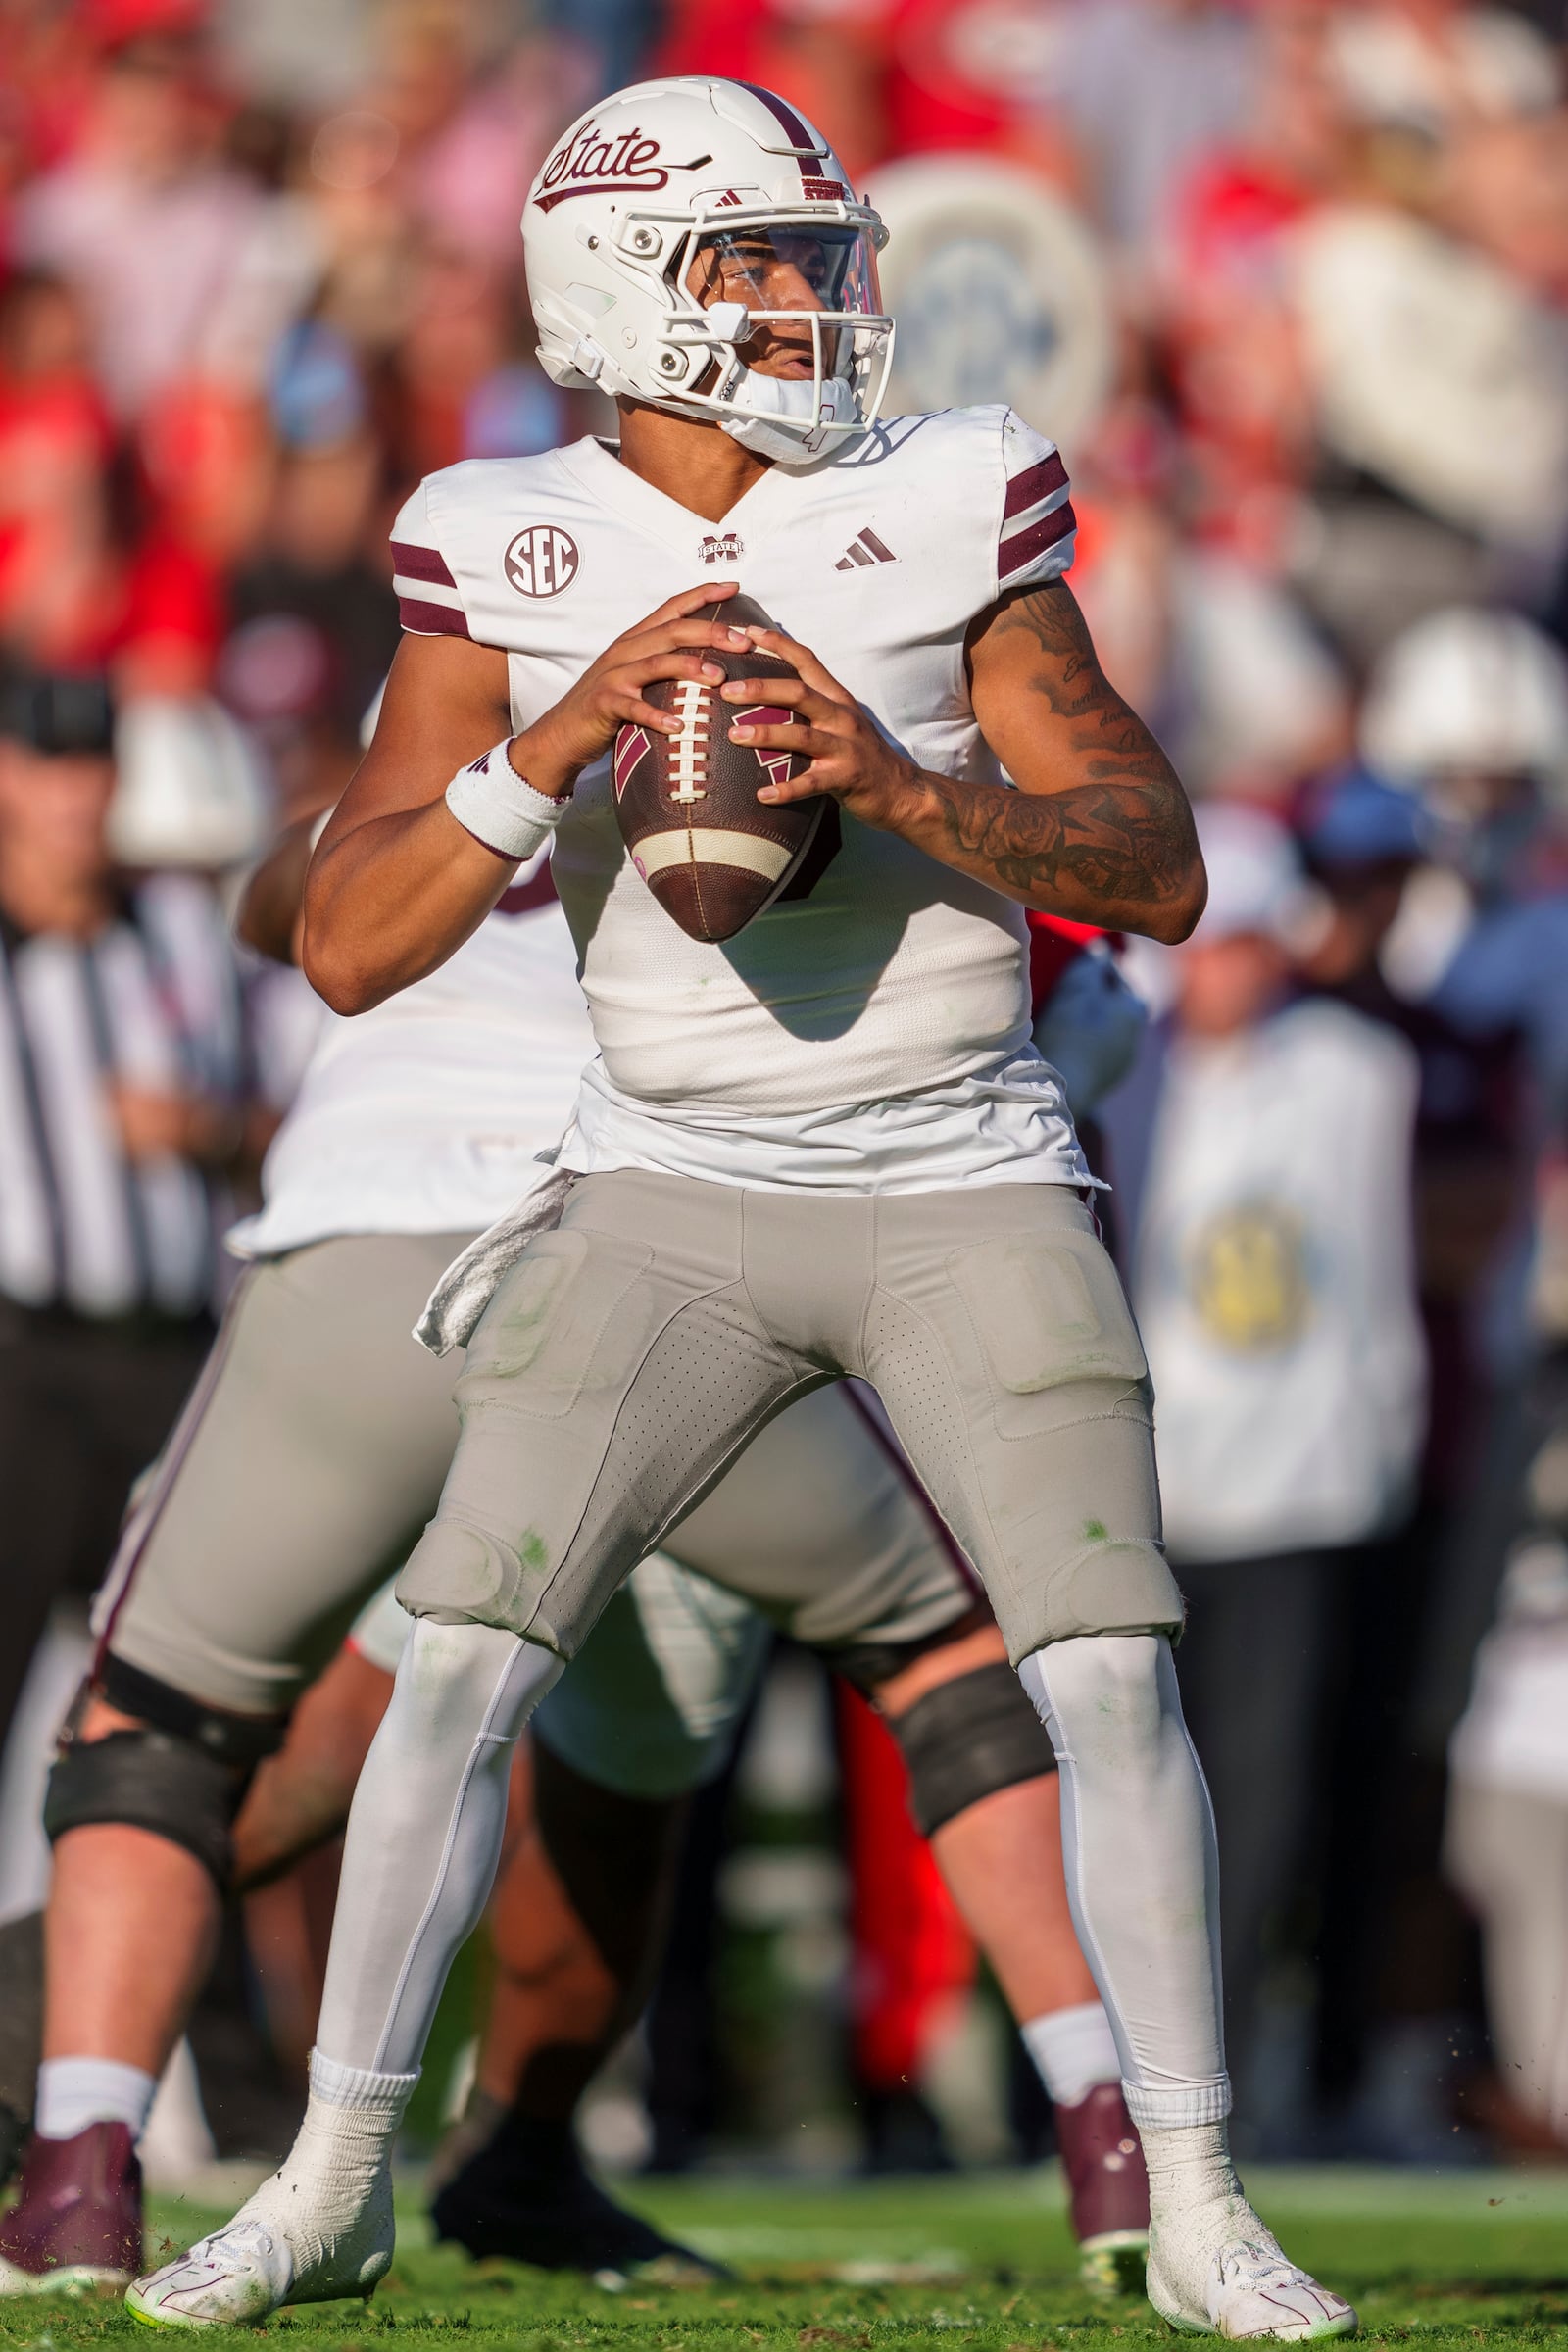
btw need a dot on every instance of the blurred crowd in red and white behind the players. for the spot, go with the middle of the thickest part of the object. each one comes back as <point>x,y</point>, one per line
<point>1292,288</point>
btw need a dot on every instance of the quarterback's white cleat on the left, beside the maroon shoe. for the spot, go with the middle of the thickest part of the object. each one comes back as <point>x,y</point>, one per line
<point>264,2259</point>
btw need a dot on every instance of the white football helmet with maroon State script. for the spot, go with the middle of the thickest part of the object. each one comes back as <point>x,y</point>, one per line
<point>662,175</point>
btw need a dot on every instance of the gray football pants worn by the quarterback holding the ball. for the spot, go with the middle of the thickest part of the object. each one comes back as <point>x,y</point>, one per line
<point>634,1354</point>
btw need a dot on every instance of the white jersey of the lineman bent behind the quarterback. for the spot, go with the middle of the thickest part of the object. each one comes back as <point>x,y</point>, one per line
<point>431,1111</point>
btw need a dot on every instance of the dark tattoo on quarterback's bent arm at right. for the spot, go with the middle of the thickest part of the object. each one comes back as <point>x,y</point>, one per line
<point>1123,836</point>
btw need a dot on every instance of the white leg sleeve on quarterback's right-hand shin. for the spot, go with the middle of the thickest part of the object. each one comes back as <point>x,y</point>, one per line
<point>1141,1862</point>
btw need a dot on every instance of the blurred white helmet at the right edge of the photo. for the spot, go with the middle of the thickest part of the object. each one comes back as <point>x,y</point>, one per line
<point>1468,693</point>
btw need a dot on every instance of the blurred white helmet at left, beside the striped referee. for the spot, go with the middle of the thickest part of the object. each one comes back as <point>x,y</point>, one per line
<point>189,789</point>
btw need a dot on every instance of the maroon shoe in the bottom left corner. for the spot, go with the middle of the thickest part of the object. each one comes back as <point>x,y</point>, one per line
<point>76,2221</point>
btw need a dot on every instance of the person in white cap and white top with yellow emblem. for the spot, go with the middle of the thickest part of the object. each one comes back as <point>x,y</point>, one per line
<point>1264,1163</point>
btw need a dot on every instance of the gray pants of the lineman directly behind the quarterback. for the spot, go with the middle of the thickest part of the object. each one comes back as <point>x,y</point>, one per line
<point>314,1450</point>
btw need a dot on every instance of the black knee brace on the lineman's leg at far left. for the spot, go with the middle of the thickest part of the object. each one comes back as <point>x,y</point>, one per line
<point>182,1772</point>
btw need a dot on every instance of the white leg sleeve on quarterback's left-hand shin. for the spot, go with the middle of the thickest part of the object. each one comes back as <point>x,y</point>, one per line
<point>424,1838</point>
